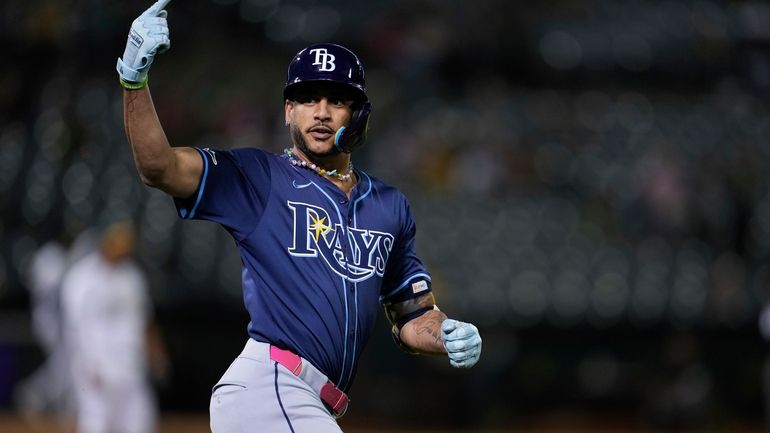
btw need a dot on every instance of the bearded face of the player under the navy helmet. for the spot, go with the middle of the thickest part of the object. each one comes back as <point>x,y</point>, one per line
<point>314,116</point>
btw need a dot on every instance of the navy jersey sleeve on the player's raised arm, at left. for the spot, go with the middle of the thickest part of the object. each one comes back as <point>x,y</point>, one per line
<point>232,191</point>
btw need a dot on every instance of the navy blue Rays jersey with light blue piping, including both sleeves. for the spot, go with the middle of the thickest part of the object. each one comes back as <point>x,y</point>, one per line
<point>316,264</point>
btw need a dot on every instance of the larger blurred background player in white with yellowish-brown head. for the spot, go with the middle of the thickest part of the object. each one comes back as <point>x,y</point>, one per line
<point>113,343</point>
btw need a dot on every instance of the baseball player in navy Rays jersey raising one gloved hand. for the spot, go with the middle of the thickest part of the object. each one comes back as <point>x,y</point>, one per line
<point>323,244</point>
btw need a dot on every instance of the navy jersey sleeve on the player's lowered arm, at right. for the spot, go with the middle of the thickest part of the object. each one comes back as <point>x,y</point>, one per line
<point>405,276</point>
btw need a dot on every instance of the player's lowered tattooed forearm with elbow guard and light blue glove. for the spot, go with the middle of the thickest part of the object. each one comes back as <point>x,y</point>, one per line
<point>420,327</point>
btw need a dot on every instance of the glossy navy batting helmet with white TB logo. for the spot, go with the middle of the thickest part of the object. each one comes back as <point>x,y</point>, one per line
<point>334,64</point>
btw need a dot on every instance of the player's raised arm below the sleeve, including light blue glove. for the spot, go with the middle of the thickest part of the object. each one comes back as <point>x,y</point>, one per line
<point>175,171</point>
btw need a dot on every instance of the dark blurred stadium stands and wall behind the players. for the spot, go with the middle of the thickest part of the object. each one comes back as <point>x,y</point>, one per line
<point>589,182</point>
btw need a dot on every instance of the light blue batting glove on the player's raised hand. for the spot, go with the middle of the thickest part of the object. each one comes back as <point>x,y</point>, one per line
<point>149,35</point>
